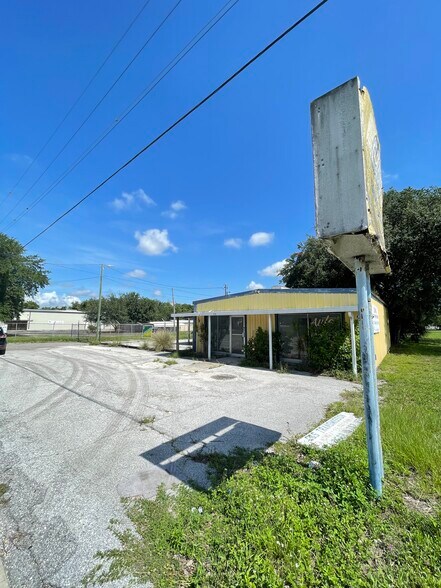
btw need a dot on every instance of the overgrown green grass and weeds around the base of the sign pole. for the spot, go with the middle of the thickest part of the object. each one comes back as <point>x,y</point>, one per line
<point>271,521</point>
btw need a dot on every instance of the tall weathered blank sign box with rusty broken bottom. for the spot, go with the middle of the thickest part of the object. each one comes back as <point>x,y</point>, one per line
<point>347,176</point>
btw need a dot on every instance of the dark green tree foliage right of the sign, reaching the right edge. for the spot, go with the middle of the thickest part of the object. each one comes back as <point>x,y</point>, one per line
<point>412,292</point>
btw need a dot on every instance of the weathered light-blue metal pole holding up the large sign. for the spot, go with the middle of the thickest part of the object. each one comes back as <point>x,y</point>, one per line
<point>371,409</point>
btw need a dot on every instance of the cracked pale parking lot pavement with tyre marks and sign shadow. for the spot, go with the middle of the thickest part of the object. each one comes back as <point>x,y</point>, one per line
<point>72,443</point>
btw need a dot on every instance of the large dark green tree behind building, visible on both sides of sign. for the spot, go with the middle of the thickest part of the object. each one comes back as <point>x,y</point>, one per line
<point>412,292</point>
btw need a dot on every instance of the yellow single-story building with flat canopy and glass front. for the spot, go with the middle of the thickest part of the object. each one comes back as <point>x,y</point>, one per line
<point>224,324</point>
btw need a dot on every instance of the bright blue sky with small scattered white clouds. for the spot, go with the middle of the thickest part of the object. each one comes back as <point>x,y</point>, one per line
<point>227,196</point>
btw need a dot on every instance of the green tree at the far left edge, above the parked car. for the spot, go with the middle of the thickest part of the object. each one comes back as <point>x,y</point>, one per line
<point>21,276</point>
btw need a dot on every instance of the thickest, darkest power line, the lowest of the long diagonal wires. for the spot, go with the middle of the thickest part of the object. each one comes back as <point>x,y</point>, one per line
<point>182,118</point>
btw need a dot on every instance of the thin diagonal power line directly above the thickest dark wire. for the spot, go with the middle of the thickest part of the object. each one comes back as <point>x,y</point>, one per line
<point>119,119</point>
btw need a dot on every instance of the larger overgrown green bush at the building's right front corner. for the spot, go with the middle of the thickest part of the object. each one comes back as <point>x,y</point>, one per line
<point>329,347</point>
